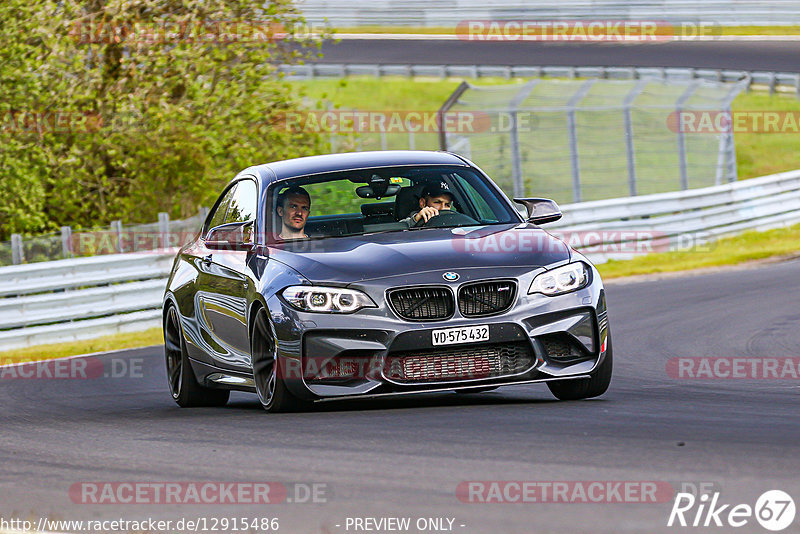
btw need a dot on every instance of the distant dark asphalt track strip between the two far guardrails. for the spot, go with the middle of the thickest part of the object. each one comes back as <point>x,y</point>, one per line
<point>779,56</point>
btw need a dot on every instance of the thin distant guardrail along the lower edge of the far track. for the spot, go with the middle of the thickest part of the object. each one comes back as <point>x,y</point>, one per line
<point>772,81</point>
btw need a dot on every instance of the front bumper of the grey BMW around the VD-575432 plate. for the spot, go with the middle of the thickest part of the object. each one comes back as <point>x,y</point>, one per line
<point>374,352</point>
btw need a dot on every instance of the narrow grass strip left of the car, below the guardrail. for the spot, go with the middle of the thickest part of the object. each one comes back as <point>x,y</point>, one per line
<point>129,340</point>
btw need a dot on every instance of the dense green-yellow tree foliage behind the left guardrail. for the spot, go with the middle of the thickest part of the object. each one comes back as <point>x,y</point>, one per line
<point>120,109</point>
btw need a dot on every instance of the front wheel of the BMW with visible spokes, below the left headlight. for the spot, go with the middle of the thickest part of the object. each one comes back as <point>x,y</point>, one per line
<point>272,392</point>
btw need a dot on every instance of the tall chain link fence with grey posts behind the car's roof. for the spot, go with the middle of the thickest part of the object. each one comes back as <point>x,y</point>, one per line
<point>580,140</point>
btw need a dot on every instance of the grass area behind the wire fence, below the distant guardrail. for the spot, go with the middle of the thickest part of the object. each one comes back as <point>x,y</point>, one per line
<point>600,150</point>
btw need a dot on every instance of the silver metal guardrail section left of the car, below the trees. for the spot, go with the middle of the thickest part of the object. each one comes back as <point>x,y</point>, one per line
<point>67,300</point>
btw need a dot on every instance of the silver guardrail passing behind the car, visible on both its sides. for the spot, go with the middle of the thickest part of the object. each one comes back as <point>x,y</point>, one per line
<point>65,300</point>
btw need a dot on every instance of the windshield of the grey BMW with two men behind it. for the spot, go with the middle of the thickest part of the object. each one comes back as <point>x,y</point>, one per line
<point>384,200</point>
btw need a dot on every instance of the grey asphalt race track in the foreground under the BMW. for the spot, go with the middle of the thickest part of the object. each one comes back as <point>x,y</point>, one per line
<point>406,457</point>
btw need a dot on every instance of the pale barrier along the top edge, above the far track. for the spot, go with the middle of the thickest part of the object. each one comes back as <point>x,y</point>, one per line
<point>438,13</point>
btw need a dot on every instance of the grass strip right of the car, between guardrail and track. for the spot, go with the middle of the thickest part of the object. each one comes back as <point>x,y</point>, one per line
<point>742,248</point>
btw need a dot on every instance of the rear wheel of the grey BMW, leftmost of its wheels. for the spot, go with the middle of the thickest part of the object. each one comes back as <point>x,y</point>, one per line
<point>182,383</point>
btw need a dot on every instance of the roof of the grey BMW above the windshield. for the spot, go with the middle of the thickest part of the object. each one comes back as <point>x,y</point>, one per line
<point>292,168</point>
